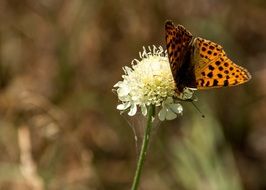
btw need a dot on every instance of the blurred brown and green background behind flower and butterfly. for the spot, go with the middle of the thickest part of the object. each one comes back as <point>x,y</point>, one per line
<point>59,127</point>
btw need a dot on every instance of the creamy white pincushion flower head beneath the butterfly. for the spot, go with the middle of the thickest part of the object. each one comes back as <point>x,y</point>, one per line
<point>150,82</point>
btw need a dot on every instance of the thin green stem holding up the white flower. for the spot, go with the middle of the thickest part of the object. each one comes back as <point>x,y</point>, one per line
<point>144,147</point>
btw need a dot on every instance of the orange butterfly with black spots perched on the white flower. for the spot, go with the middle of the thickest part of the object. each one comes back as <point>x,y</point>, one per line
<point>200,63</point>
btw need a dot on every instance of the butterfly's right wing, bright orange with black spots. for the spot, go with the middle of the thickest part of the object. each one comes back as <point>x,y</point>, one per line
<point>213,68</point>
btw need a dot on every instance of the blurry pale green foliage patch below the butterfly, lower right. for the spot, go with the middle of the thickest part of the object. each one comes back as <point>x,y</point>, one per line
<point>202,158</point>
